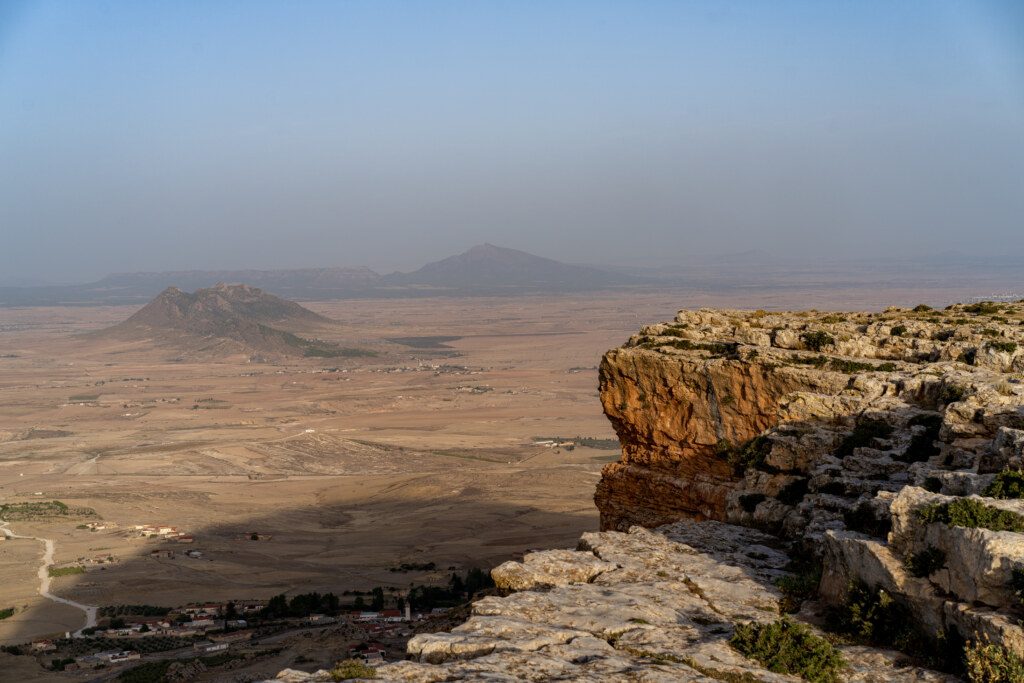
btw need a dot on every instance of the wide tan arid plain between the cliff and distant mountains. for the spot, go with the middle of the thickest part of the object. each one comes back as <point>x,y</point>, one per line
<point>345,468</point>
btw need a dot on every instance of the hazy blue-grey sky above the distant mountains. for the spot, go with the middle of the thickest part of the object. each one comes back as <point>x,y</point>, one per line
<point>206,136</point>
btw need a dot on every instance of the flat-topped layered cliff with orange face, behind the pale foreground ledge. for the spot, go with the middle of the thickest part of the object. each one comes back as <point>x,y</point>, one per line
<point>831,431</point>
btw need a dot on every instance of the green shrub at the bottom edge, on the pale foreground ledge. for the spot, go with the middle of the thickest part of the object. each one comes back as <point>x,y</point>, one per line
<point>788,648</point>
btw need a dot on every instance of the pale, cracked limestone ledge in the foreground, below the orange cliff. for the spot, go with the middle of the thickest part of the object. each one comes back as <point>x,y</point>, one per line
<point>662,610</point>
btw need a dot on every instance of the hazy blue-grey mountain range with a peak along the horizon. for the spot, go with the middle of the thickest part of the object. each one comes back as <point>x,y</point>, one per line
<point>485,270</point>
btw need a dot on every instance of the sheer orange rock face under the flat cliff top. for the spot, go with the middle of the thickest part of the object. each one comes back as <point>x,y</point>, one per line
<point>672,414</point>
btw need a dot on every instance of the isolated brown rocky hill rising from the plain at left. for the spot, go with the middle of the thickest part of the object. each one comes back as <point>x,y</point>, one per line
<point>226,319</point>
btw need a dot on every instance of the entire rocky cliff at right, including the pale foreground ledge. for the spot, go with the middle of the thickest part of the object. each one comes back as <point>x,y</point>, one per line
<point>859,472</point>
